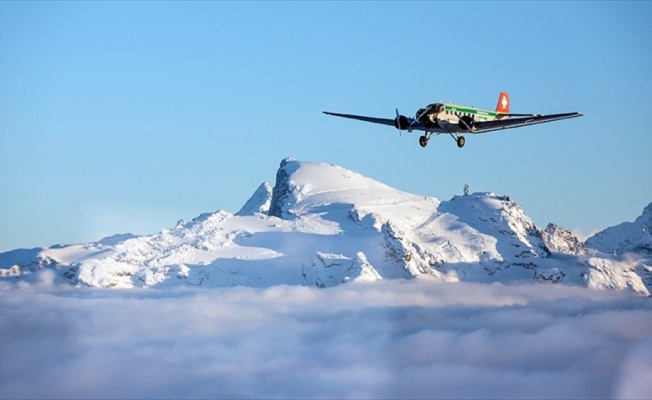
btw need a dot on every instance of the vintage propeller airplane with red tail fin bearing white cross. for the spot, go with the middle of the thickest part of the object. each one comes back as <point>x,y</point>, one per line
<point>456,120</point>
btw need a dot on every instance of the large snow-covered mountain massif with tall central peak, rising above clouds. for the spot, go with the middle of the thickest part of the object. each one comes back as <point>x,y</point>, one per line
<point>323,225</point>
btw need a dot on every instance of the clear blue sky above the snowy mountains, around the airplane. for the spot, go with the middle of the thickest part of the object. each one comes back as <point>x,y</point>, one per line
<point>125,117</point>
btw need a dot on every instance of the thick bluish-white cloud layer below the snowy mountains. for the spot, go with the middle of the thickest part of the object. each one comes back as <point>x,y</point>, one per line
<point>387,339</point>
